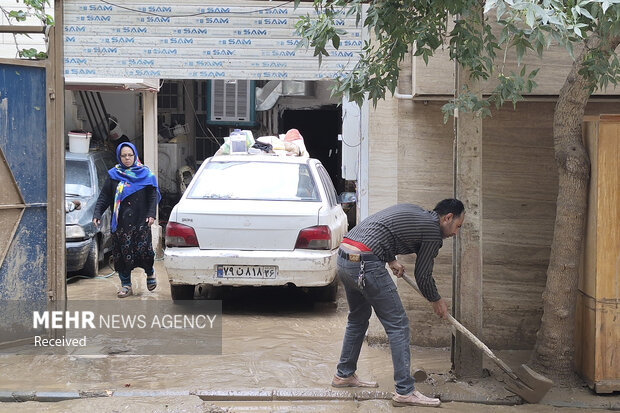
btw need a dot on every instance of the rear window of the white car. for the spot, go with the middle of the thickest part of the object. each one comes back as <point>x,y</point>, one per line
<point>255,181</point>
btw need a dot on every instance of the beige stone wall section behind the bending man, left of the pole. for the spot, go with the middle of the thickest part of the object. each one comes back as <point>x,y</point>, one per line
<point>425,176</point>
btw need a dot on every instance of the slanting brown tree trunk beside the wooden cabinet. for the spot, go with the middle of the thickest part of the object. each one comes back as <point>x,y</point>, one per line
<point>554,350</point>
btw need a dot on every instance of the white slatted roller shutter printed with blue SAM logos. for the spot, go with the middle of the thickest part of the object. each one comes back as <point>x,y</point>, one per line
<point>196,40</point>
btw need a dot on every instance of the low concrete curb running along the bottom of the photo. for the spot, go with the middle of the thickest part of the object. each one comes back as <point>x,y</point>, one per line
<point>265,395</point>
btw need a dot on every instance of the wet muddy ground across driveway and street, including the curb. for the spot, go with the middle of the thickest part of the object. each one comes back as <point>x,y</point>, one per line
<point>279,351</point>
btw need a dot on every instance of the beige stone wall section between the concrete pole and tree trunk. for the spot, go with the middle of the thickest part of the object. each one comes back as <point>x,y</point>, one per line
<point>519,187</point>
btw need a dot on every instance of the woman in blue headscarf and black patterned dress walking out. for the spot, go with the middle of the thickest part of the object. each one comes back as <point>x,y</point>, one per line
<point>132,193</point>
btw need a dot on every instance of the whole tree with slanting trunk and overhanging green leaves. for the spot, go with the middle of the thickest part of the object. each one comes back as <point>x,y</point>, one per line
<point>589,30</point>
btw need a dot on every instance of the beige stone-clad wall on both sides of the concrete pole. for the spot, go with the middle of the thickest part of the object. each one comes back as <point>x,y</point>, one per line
<point>519,193</point>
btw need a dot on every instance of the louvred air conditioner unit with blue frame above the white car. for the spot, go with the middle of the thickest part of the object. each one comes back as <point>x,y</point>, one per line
<point>231,102</point>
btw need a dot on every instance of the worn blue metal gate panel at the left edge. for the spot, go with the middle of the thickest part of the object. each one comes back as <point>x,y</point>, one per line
<point>23,203</point>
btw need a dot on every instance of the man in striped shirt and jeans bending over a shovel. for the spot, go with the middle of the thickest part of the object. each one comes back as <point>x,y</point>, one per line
<point>398,230</point>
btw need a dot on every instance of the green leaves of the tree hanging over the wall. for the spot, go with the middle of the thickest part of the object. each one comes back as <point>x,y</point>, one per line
<point>465,29</point>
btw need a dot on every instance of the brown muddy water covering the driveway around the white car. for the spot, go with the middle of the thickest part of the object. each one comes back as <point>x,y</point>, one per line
<point>272,338</point>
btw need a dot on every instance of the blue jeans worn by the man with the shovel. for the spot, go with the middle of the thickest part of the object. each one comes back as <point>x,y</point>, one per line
<point>379,293</point>
